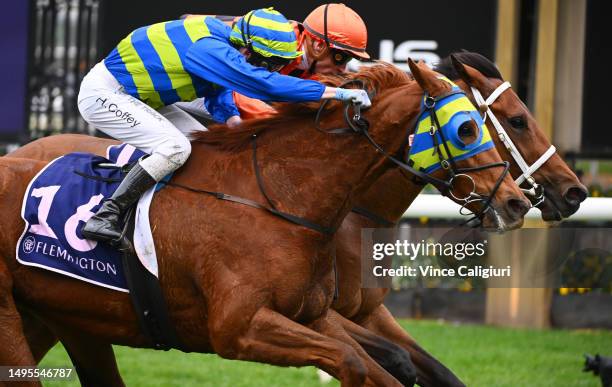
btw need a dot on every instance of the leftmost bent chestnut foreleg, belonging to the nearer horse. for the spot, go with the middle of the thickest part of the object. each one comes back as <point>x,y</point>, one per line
<point>274,339</point>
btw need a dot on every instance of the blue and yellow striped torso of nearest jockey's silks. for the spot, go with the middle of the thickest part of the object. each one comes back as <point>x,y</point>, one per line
<point>149,61</point>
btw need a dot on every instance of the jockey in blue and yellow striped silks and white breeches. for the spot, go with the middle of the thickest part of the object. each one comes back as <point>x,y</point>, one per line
<point>129,95</point>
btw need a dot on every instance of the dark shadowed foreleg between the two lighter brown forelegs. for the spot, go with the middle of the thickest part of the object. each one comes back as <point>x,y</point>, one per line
<point>393,358</point>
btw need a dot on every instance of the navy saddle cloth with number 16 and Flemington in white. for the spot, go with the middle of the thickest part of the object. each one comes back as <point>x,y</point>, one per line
<point>58,202</point>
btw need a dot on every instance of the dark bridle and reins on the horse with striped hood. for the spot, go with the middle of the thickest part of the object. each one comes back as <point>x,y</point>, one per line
<point>358,124</point>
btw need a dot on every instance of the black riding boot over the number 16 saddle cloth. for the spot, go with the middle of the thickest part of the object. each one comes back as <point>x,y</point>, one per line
<point>105,225</point>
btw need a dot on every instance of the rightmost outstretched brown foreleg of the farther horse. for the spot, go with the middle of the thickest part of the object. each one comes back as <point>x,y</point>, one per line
<point>430,372</point>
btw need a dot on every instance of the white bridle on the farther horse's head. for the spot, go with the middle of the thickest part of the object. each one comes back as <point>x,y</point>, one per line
<point>535,192</point>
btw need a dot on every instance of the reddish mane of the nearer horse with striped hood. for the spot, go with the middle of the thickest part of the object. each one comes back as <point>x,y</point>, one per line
<point>378,77</point>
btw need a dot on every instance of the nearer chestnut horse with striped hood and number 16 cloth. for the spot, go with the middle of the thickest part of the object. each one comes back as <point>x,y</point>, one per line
<point>266,298</point>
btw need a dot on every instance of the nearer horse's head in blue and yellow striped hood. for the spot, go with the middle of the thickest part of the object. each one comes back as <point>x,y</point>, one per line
<point>452,144</point>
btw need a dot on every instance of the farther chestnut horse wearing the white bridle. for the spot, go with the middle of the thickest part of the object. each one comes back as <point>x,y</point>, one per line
<point>389,199</point>
